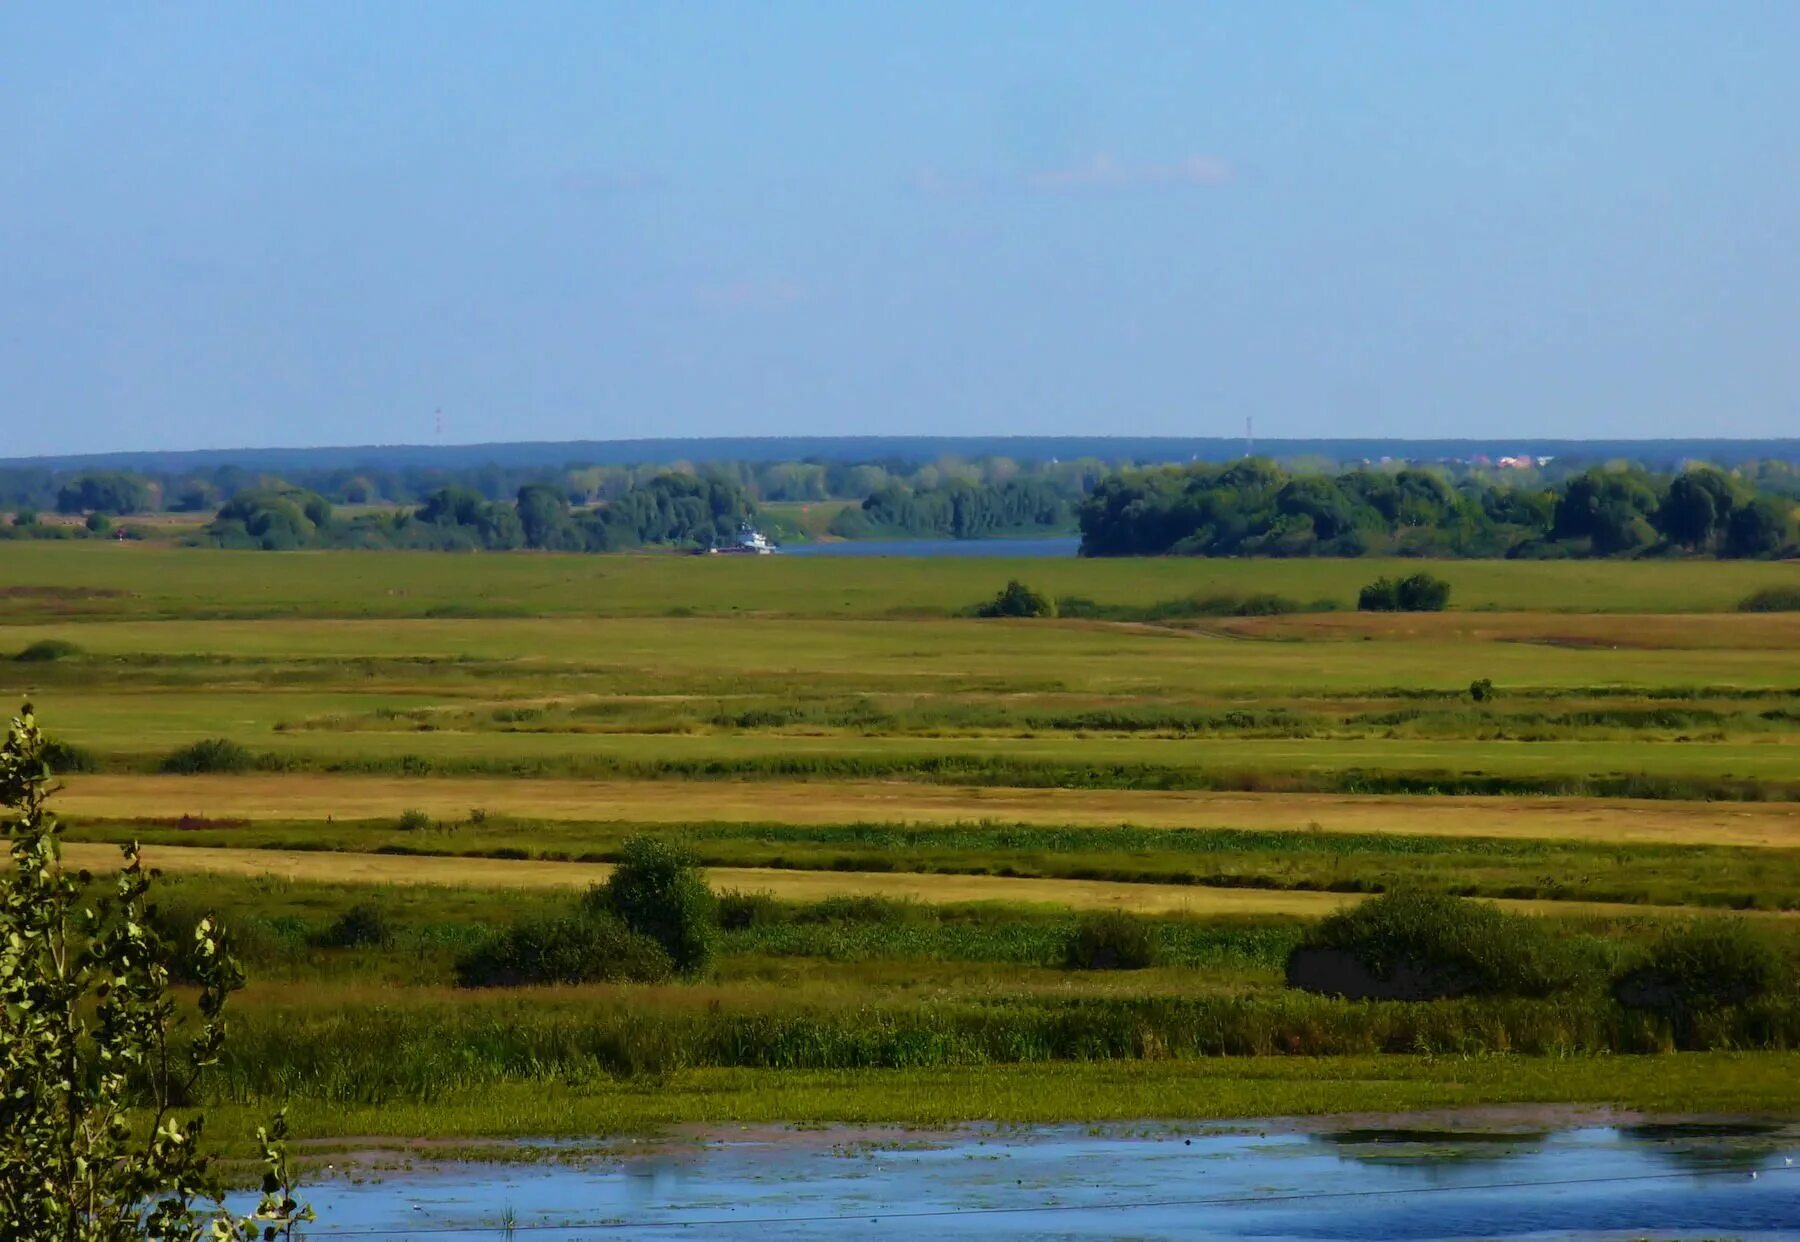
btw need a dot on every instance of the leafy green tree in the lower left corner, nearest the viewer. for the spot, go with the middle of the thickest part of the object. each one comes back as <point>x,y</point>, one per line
<point>89,1043</point>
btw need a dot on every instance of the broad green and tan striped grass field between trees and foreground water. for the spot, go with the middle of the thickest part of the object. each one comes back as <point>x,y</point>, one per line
<point>829,728</point>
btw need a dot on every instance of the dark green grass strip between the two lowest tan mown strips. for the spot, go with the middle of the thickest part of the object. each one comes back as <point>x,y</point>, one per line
<point>1214,858</point>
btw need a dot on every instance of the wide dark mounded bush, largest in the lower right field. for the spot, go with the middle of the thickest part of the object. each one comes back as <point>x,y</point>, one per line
<point>1414,946</point>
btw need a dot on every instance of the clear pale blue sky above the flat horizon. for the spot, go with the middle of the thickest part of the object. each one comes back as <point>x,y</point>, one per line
<point>318,224</point>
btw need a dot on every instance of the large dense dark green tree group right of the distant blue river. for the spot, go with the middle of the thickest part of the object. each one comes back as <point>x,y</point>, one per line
<point>1255,508</point>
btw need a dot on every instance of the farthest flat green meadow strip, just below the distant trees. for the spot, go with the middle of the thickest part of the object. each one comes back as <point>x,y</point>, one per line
<point>87,580</point>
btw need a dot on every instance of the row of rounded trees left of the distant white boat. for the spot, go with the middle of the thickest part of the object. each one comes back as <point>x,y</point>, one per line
<point>679,510</point>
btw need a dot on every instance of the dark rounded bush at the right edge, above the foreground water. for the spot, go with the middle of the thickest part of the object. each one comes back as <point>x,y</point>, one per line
<point>1704,967</point>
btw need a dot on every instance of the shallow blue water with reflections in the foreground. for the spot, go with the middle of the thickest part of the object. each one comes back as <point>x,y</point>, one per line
<point>1102,1183</point>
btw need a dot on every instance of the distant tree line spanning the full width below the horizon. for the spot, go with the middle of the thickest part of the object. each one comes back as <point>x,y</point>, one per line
<point>1246,508</point>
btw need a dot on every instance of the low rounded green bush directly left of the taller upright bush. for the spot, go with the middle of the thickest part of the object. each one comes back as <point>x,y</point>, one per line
<point>582,948</point>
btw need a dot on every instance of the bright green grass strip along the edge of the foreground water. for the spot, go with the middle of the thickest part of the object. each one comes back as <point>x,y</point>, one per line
<point>1727,1084</point>
